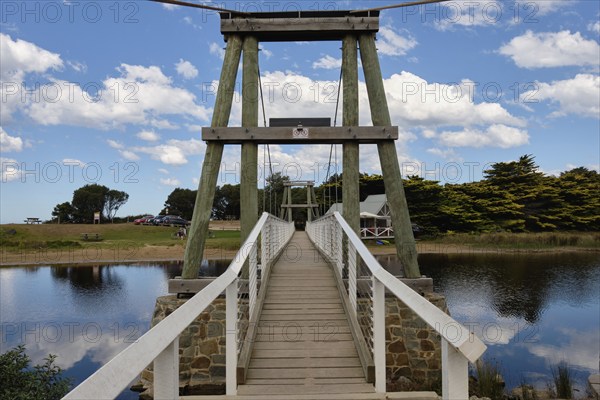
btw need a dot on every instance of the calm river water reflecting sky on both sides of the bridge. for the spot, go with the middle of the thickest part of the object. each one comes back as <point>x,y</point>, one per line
<point>532,310</point>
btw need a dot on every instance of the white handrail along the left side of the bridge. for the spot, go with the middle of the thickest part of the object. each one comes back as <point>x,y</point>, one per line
<point>160,342</point>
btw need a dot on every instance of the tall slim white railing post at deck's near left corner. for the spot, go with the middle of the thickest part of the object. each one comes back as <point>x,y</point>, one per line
<point>231,316</point>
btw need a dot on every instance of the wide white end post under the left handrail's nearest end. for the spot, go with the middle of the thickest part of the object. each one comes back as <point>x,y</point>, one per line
<point>166,372</point>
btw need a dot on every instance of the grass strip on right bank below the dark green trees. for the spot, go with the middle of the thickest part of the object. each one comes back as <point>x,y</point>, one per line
<point>532,241</point>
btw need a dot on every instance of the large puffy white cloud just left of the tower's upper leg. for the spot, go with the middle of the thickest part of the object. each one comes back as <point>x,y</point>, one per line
<point>140,95</point>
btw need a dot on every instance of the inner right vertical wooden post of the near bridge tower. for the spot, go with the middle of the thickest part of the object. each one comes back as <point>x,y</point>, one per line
<point>350,188</point>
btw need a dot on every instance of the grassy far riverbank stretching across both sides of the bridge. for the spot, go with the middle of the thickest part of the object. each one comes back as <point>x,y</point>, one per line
<point>51,243</point>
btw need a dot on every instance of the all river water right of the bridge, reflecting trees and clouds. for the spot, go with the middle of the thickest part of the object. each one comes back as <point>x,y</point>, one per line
<point>532,310</point>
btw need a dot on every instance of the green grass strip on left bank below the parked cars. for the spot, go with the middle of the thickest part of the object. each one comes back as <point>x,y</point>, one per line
<point>20,237</point>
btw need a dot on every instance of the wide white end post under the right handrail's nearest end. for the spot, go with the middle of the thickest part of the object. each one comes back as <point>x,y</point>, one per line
<point>455,373</point>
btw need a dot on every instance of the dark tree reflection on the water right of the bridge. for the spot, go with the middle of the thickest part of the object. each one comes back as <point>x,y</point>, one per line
<point>516,285</point>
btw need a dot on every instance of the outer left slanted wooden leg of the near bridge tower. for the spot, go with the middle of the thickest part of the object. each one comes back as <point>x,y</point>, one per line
<point>194,251</point>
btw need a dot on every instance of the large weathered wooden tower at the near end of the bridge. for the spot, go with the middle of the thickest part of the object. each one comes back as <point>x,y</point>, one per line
<point>243,32</point>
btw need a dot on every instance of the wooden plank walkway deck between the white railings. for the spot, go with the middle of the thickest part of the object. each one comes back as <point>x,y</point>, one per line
<point>304,345</point>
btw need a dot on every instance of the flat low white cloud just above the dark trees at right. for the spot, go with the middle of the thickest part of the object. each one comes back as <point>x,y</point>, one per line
<point>494,136</point>
